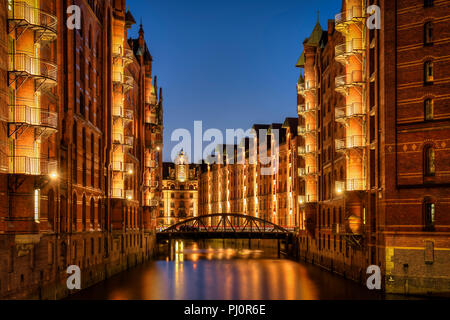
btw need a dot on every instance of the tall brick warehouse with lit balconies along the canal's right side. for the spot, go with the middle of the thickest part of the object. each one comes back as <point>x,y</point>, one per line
<point>378,104</point>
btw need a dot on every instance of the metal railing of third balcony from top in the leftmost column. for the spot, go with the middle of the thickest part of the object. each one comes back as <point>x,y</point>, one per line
<point>33,116</point>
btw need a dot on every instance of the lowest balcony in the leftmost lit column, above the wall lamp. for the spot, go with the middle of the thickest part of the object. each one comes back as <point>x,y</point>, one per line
<point>31,166</point>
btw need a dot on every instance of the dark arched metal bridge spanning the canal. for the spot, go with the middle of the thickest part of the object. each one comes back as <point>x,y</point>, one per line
<point>224,226</point>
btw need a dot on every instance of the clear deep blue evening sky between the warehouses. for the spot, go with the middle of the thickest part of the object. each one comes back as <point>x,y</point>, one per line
<point>229,63</point>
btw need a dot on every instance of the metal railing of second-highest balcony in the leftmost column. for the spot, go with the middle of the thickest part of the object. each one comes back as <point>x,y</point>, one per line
<point>34,67</point>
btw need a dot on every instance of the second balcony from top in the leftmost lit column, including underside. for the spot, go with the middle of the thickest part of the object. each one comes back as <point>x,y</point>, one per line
<point>45,73</point>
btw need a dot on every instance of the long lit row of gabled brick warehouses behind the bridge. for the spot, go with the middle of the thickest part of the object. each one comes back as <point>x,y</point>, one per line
<point>236,184</point>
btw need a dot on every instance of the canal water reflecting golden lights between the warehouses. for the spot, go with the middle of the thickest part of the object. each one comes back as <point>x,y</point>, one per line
<point>226,270</point>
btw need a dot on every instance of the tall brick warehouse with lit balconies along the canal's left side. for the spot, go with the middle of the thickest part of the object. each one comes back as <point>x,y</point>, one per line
<point>81,132</point>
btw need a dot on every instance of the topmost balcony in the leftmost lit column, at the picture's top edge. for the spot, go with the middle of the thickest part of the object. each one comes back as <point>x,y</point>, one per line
<point>21,15</point>
